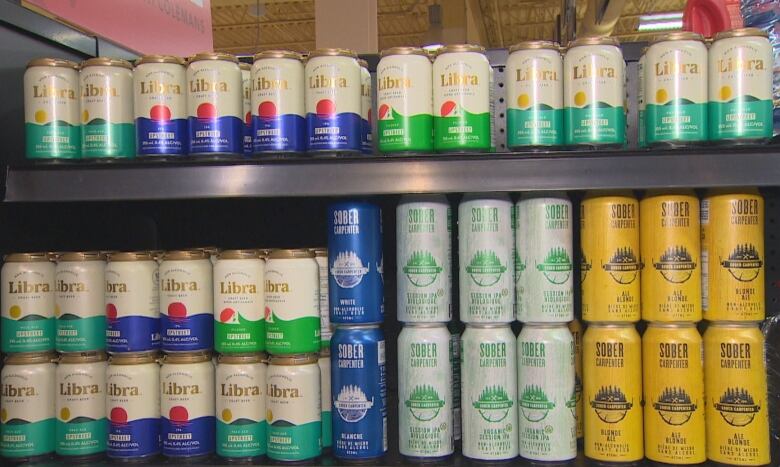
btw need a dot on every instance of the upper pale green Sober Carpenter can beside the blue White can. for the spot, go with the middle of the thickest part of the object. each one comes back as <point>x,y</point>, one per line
<point>424,252</point>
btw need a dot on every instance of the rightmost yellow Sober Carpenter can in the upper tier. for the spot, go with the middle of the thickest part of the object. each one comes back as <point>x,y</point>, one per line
<point>732,255</point>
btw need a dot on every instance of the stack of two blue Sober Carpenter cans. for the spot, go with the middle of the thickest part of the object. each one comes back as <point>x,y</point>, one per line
<point>356,293</point>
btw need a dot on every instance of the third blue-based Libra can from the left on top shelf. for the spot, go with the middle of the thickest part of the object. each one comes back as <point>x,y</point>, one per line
<point>278,111</point>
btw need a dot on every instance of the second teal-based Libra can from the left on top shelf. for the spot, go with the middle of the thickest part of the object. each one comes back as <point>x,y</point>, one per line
<point>107,123</point>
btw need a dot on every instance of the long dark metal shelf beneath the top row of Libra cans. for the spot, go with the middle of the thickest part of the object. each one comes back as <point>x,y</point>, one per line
<point>381,175</point>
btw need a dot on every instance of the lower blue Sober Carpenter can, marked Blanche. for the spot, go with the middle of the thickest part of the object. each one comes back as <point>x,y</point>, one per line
<point>359,392</point>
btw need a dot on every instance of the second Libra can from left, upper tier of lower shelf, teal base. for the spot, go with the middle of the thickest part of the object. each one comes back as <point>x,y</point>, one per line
<point>79,302</point>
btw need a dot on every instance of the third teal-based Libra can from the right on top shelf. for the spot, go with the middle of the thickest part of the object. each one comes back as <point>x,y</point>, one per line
<point>594,93</point>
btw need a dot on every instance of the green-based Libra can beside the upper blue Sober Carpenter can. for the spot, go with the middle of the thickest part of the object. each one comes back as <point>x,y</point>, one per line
<point>292,299</point>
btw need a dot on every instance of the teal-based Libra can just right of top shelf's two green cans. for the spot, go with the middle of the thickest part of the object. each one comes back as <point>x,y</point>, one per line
<point>534,73</point>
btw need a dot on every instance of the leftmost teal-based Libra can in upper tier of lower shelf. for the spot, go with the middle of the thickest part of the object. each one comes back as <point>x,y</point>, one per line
<point>27,303</point>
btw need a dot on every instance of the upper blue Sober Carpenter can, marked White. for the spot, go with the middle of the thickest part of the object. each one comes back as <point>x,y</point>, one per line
<point>355,263</point>
